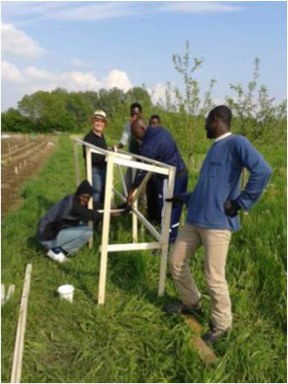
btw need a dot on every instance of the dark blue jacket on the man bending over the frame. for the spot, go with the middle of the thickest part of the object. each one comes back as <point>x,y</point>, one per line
<point>158,144</point>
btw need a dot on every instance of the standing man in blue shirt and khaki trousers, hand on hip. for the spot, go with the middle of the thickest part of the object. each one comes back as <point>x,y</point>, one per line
<point>213,208</point>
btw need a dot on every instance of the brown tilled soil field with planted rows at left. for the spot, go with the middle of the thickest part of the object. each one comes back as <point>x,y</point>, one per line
<point>22,156</point>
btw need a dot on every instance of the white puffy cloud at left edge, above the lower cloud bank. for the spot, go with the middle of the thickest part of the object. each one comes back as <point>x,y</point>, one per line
<point>18,43</point>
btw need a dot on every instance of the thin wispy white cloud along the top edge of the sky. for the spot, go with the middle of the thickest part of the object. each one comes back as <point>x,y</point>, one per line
<point>71,11</point>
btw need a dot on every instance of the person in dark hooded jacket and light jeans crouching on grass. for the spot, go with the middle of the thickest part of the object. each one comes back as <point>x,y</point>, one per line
<point>64,229</point>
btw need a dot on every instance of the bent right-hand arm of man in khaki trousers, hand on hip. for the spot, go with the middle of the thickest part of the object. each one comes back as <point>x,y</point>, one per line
<point>260,173</point>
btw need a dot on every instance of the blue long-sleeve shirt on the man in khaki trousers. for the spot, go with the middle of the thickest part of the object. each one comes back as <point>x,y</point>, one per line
<point>219,180</point>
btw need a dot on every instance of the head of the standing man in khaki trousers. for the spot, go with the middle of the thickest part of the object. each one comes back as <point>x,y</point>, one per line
<point>218,122</point>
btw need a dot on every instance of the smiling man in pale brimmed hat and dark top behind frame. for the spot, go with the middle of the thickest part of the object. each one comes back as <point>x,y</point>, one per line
<point>96,137</point>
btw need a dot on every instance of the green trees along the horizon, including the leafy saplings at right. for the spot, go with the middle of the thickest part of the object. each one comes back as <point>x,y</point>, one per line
<point>183,108</point>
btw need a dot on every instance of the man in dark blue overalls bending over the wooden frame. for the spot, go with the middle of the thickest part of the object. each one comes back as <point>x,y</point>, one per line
<point>158,144</point>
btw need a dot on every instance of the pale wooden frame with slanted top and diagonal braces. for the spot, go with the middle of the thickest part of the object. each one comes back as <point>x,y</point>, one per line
<point>121,158</point>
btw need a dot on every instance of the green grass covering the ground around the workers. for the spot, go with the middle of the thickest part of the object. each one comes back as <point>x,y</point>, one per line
<point>129,339</point>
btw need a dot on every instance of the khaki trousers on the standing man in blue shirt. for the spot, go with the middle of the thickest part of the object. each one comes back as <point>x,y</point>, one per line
<point>216,243</point>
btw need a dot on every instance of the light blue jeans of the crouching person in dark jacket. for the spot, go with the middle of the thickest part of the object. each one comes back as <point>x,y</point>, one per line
<point>70,239</point>
